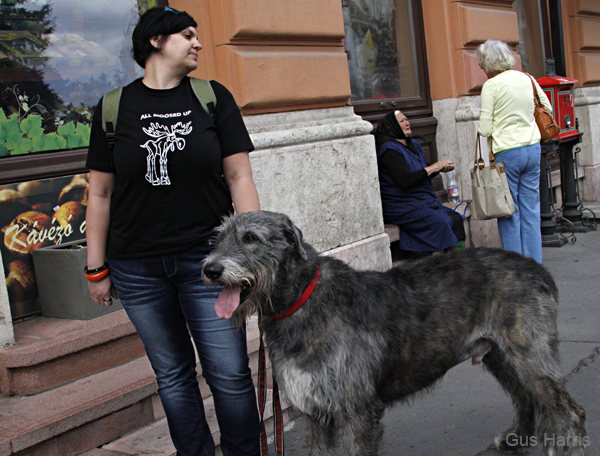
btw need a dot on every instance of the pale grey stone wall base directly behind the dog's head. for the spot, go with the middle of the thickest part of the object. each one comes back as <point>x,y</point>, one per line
<point>319,168</point>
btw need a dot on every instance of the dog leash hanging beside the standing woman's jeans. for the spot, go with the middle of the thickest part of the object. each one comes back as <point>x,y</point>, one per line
<point>277,415</point>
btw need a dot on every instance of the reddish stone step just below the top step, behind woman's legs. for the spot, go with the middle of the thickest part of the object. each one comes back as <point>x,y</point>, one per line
<point>89,412</point>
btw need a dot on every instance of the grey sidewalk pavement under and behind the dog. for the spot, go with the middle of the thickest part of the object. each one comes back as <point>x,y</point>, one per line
<point>464,413</point>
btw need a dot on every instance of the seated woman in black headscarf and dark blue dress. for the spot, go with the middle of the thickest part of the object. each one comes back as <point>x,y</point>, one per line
<point>407,195</point>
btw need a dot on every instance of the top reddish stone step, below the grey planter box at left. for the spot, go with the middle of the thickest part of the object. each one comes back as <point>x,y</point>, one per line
<point>51,352</point>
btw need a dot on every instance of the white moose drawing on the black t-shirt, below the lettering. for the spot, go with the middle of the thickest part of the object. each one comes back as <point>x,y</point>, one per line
<point>164,143</point>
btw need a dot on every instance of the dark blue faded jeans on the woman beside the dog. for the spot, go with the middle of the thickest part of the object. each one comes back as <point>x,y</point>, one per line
<point>164,296</point>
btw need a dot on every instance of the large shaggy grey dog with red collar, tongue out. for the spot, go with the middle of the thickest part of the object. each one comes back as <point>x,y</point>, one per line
<point>364,340</point>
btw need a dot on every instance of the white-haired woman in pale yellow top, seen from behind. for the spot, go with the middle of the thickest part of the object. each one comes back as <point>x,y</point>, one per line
<point>507,108</point>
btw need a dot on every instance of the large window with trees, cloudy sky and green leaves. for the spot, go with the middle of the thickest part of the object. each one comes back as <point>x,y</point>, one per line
<point>57,58</point>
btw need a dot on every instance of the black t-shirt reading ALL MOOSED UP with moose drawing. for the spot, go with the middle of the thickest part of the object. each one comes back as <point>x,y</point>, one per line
<point>169,191</point>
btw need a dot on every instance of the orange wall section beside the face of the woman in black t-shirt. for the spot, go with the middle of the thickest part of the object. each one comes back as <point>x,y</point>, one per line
<point>274,56</point>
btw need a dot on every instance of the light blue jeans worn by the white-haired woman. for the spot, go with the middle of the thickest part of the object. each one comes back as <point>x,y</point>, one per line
<point>521,233</point>
